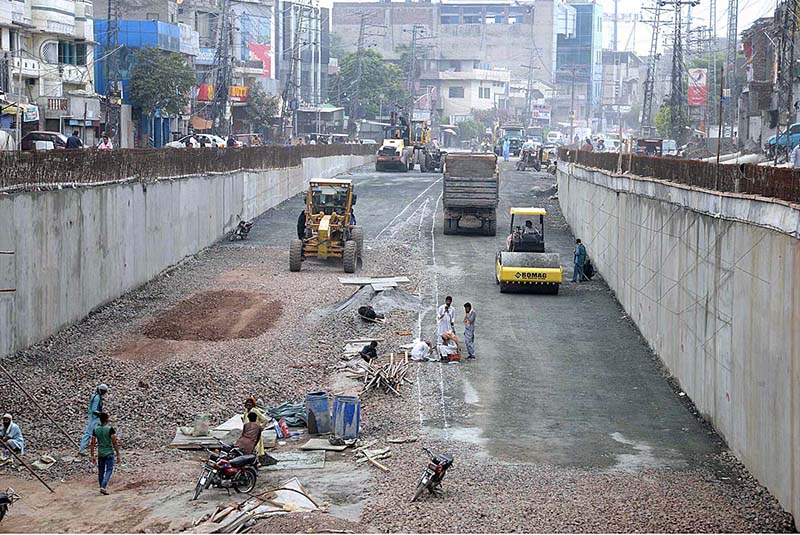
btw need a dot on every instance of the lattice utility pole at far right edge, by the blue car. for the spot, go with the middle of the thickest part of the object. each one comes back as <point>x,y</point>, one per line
<point>786,73</point>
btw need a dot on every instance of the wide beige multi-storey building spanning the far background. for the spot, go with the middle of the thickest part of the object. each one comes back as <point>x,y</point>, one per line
<point>505,34</point>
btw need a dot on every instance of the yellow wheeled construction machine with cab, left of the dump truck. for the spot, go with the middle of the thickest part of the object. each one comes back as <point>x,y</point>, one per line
<point>327,227</point>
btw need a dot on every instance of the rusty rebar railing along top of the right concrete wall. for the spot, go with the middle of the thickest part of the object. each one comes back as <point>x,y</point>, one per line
<point>778,182</point>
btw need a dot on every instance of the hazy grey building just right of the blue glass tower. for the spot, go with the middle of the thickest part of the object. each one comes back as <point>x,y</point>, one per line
<point>621,89</point>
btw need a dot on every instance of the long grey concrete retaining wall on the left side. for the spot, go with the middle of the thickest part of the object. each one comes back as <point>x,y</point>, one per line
<point>64,253</point>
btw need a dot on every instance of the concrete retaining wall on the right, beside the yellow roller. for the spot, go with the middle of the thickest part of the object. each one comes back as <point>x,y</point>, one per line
<point>713,283</point>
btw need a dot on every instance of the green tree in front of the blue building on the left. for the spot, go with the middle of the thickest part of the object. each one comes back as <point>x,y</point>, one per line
<point>160,81</point>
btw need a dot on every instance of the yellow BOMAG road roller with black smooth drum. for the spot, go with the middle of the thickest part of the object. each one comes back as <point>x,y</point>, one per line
<point>525,264</point>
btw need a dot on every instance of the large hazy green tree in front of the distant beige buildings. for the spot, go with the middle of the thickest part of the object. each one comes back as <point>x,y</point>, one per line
<point>382,84</point>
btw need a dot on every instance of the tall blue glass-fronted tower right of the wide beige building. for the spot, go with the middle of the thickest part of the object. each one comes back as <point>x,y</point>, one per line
<point>579,63</point>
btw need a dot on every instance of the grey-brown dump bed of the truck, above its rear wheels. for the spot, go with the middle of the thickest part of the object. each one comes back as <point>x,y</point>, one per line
<point>470,180</point>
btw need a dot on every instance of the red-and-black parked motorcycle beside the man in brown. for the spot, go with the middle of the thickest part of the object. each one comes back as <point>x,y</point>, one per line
<point>229,468</point>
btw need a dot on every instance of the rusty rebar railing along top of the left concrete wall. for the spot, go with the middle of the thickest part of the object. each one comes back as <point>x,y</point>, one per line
<point>49,168</point>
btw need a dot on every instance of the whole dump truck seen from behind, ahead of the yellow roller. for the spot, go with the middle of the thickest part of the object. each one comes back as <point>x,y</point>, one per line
<point>471,191</point>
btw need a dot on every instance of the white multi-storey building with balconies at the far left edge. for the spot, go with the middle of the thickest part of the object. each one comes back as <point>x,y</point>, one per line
<point>48,48</point>
